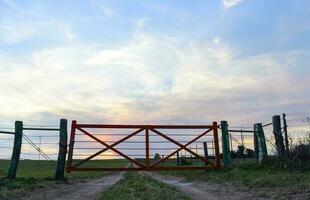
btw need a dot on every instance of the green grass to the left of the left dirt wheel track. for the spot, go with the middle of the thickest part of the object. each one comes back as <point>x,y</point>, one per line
<point>33,174</point>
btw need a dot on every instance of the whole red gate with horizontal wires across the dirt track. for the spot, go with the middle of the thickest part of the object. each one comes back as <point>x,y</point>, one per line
<point>146,133</point>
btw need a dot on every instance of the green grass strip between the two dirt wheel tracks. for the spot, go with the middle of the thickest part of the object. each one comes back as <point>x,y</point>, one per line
<point>137,186</point>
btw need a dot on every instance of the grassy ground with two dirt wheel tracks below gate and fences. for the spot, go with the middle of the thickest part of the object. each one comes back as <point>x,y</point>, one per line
<point>241,182</point>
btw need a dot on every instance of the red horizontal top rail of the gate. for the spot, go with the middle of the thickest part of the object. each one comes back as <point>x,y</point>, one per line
<point>145,126</point>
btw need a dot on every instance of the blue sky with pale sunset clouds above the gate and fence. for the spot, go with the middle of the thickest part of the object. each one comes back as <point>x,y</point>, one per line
<point>154,62</point>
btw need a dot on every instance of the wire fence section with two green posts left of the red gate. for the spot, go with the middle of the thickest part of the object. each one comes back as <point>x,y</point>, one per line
<point>26,144</point>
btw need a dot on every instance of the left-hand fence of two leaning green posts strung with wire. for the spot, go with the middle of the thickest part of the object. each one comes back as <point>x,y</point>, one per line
<point>35,143</point>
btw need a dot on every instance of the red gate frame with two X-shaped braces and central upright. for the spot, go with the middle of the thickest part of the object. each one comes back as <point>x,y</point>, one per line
<point>147,128</point>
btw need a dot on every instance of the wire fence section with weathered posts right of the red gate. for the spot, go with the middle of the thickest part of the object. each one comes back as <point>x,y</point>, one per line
<point>270,140</point>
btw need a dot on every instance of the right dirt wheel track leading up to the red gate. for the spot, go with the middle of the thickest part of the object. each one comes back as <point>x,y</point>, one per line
<point>203,190</point>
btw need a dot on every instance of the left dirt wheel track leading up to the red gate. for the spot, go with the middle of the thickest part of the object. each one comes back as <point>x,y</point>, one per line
<point>76,190</point>
